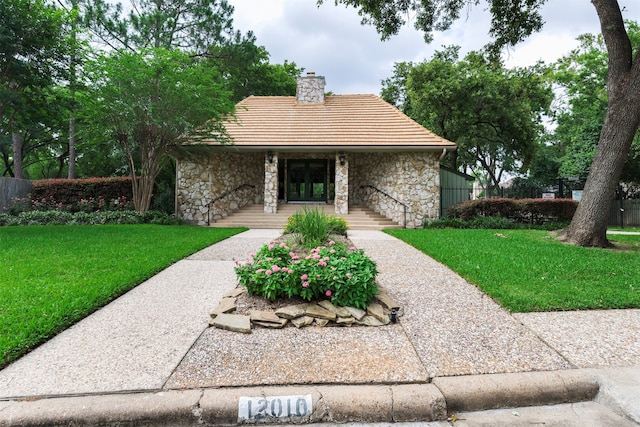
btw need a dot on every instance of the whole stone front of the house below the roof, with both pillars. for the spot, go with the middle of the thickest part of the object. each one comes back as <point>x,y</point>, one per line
<point>411,178</point>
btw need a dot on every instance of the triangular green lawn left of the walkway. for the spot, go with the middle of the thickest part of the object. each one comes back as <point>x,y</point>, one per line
<point>53,276</point>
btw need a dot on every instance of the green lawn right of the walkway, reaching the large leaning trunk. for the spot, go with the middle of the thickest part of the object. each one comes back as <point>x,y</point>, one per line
<point>528,270</point>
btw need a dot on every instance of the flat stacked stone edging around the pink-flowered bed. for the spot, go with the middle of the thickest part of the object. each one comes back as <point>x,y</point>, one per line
<point>322,313</point>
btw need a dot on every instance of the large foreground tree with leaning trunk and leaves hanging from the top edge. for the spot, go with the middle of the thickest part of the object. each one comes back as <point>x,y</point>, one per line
<point>512,22</point>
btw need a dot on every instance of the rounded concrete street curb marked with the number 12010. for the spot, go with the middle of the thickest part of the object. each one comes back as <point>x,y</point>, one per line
<point>332,403</point>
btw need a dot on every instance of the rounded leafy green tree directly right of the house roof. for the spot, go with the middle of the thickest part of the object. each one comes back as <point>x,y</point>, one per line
<point>494,114</point>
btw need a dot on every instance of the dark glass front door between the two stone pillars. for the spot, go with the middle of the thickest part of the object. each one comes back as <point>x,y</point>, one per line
<point>307,180</point>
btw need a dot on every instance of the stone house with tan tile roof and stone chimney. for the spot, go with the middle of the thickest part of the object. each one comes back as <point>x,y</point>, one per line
<point>342,150</point>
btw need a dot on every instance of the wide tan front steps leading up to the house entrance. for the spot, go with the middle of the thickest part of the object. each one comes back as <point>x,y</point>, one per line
<point>253,216</point>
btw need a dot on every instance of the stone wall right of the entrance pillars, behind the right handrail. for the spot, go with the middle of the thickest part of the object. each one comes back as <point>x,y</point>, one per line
<point>411,178</point>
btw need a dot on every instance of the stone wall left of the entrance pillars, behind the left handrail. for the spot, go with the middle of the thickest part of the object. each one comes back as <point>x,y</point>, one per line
<point>201,179</point>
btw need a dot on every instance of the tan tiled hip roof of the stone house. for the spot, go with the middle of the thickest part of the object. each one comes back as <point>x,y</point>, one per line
<point>364,122</point>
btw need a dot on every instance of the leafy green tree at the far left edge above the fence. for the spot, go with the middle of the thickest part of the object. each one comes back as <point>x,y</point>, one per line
<point>31,53</point>
